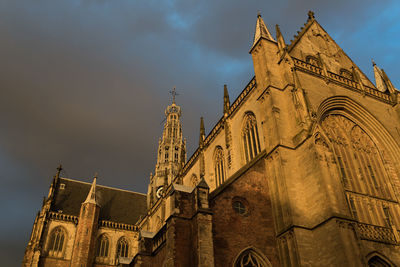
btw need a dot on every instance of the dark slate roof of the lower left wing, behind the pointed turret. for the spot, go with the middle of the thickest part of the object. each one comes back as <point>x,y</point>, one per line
<point>116,205</point>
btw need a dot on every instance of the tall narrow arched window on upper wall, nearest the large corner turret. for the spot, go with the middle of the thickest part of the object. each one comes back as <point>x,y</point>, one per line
<point>251,142</point>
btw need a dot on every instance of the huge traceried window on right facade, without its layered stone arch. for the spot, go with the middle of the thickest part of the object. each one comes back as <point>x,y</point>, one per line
<point>365,172</point>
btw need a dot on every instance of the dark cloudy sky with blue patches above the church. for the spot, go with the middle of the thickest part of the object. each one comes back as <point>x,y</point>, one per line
<point>85,82</point>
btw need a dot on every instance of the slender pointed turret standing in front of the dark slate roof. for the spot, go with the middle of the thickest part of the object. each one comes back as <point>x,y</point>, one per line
<point>83,251</point>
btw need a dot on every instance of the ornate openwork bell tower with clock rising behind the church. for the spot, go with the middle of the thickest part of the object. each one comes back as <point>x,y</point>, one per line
<point>171,154</point>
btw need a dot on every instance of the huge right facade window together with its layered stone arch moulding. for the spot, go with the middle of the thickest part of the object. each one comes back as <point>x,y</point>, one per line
<point>366,157</point>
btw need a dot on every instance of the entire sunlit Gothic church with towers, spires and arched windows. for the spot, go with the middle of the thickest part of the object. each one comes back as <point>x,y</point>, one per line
<point>302,169</point>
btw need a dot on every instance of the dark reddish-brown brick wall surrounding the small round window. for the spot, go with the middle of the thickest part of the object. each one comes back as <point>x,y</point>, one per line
<point>234,232</point>
